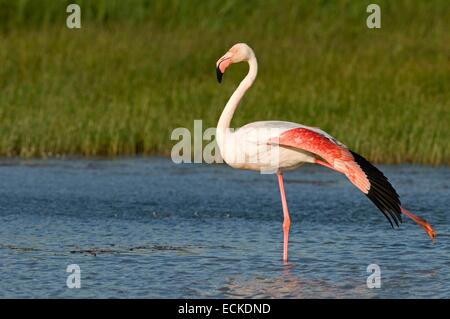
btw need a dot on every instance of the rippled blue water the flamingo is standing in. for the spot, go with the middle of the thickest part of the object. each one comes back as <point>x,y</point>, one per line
<point>150,228</point>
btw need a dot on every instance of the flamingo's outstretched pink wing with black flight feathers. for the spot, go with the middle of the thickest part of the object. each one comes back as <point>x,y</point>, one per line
<point>365,176</point>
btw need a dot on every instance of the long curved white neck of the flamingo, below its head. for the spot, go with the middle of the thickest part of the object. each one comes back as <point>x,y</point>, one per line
<point>225,119</point>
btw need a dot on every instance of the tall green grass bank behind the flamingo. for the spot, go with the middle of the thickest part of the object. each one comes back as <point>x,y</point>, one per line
<point>138,69</point>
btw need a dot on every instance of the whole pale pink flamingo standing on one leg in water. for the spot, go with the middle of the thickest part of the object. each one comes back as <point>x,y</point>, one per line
<point>278,146</point>
